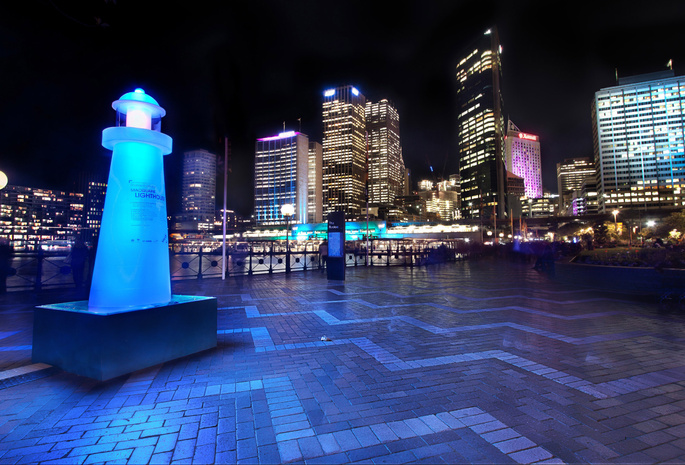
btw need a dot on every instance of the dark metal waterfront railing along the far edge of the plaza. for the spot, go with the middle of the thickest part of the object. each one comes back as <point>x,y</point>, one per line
<point>46,270</point>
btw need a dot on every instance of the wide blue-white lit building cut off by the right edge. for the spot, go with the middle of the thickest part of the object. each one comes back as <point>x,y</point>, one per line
<point>638,142</point>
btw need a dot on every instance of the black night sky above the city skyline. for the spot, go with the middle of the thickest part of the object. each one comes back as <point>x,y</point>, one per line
<point>242,68</point>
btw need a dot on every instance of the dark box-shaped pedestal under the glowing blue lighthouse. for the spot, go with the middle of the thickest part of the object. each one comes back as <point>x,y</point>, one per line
<point>105,345</point>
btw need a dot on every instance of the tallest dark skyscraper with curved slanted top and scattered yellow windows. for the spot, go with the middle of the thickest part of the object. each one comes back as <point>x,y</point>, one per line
<point>480,127</point>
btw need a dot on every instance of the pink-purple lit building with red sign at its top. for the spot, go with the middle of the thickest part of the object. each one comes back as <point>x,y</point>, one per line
<point>522,155</point>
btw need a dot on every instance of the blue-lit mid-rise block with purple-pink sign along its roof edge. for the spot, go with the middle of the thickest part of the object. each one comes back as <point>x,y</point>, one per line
<point>281,177</point>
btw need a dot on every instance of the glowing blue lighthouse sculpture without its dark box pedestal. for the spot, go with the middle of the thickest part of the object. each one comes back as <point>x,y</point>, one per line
<point>132,261</point>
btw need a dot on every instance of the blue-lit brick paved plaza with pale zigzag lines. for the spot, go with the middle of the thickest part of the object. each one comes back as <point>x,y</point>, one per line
<point>468,362</point>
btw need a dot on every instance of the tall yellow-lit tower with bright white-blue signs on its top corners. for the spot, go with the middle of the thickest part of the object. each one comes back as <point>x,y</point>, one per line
<point>344,151</point>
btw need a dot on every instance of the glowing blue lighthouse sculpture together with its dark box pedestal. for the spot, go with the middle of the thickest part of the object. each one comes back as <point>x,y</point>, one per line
<point>131,321</point>
